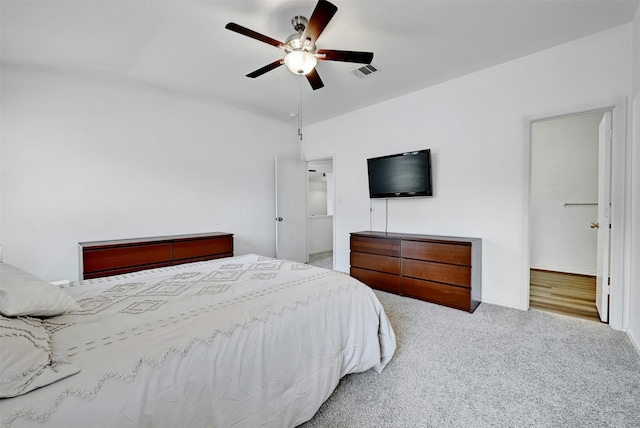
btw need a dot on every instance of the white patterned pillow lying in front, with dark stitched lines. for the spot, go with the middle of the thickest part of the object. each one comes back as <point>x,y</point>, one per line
<point>27,359</point>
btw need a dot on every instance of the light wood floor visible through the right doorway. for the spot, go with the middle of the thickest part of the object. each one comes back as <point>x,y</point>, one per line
<point>564,293</point>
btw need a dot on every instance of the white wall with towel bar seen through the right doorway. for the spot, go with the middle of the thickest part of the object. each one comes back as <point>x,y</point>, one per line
<point>564,169</point>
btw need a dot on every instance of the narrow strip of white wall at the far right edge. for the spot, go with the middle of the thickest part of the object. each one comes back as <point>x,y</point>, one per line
<point>634,292</point>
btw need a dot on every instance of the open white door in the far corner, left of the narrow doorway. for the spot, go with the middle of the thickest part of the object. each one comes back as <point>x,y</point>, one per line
<point>291,209</point>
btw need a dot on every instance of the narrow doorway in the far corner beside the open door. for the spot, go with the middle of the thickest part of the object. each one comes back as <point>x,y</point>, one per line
<point>320,212</point>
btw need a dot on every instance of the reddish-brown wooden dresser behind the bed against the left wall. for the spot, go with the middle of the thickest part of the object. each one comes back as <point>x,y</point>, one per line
<point>106,258</point>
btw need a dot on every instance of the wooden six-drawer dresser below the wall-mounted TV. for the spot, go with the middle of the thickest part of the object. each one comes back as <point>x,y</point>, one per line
<point>439,269</point>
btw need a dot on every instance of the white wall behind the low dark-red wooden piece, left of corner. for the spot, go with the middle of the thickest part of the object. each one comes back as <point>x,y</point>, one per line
<point>93,158</point>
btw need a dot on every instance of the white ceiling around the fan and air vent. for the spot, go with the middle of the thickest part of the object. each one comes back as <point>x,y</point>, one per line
<point>183,45</point>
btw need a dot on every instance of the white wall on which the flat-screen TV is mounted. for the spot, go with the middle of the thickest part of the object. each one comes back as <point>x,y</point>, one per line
<point>477,128</point>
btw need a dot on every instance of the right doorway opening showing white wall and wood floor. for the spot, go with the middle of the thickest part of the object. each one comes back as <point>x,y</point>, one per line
<point>564,214</point>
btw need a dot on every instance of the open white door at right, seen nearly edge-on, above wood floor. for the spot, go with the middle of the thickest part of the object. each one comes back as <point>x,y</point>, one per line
<point>604,216</point>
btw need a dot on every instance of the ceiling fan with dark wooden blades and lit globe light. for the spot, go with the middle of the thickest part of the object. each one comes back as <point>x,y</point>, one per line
<point>301,54</point>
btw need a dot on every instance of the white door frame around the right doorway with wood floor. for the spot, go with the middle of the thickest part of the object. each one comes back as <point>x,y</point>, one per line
<point>618,306</point>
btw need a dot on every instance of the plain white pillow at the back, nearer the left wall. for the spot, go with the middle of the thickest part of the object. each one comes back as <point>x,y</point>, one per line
<point>24,294</point>
